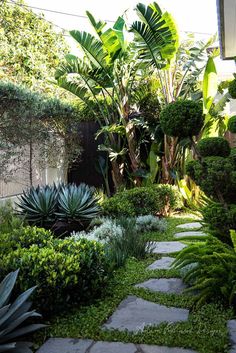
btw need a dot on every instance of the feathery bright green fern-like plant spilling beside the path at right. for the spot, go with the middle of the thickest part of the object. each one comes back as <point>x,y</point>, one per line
<point>209,269</point>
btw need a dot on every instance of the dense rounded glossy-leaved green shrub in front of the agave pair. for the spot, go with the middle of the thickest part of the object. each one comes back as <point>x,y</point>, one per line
<point>67,272</point>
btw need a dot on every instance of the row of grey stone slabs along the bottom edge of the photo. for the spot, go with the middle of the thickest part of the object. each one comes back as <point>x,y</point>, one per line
<point>67,345</point>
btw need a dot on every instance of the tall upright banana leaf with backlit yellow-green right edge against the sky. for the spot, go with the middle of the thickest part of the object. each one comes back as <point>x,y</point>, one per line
<point>155,34</point>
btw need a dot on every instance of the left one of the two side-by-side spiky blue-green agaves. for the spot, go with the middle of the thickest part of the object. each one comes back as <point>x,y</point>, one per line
<point>38,205</point>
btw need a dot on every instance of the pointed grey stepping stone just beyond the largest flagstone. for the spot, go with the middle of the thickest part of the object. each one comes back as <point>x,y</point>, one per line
<point>166,285</point>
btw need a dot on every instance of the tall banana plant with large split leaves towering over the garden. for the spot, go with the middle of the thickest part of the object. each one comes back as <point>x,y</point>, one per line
<point>108,72</point>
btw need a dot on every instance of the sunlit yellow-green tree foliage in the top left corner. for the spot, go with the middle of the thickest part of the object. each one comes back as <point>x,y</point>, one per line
<point>30,49</point>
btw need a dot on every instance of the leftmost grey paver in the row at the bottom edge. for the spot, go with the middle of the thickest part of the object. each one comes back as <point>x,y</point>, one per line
<point>65,345</point>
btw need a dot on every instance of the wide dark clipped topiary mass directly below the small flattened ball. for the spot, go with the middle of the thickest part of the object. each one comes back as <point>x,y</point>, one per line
<point>215,176</point>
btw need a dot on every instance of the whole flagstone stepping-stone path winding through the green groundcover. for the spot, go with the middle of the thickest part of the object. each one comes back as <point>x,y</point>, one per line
<point>134,314</point>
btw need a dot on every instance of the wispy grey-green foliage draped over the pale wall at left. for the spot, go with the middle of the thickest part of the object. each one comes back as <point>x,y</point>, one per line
<point>27,119</point>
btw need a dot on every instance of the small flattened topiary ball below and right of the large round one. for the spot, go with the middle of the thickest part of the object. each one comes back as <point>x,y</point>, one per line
<point>213,146</point>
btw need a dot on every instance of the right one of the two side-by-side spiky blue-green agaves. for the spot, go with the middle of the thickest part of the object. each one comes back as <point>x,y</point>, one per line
<point>77,203</point>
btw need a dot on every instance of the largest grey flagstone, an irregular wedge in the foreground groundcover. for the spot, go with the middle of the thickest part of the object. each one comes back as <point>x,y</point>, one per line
<point>134,313</point>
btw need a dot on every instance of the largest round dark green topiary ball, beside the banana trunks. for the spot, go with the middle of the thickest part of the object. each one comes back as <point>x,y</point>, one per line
<point>183,118</point>
